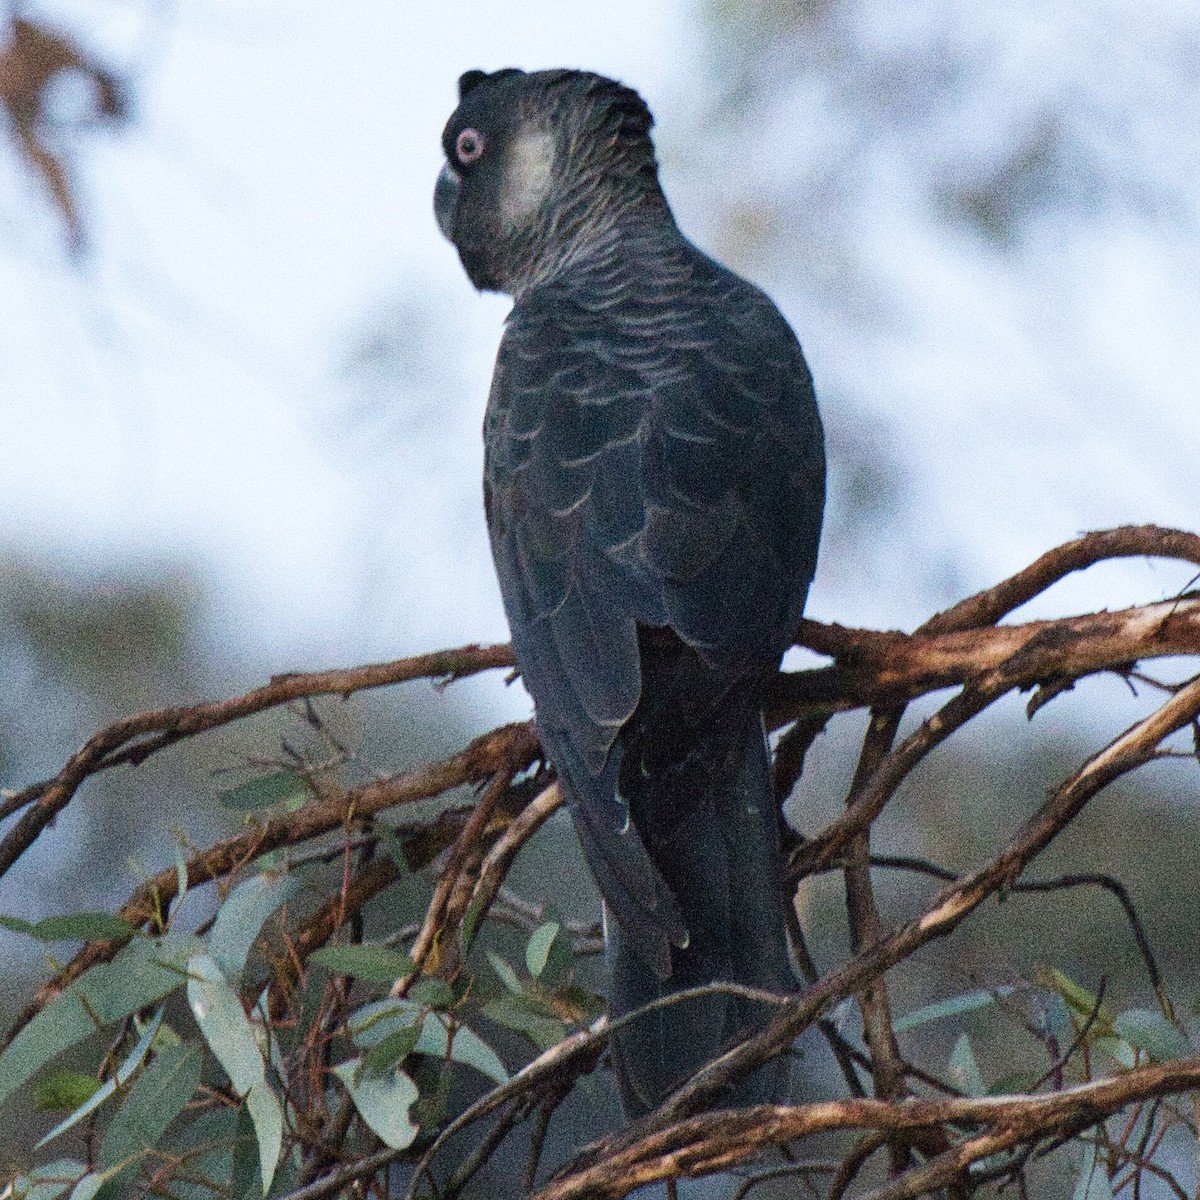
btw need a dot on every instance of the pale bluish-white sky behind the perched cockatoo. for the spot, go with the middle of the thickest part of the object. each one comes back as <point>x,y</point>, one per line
<point>187,395</point>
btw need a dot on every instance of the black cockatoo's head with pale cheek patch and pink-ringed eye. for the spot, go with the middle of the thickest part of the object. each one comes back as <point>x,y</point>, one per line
<point>541,167</point>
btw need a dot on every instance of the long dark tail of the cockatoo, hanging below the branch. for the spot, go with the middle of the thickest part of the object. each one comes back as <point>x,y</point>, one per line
<point>722,861</point>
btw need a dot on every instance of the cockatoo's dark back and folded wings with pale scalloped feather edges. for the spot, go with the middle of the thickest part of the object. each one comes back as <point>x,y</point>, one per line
<point>651,465</point>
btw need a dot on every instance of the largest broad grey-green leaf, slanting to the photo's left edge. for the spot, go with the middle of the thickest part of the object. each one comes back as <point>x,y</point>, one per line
<point>142,973</point>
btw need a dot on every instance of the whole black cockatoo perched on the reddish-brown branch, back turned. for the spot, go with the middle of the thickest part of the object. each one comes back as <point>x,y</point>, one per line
<point>655,485</point>
